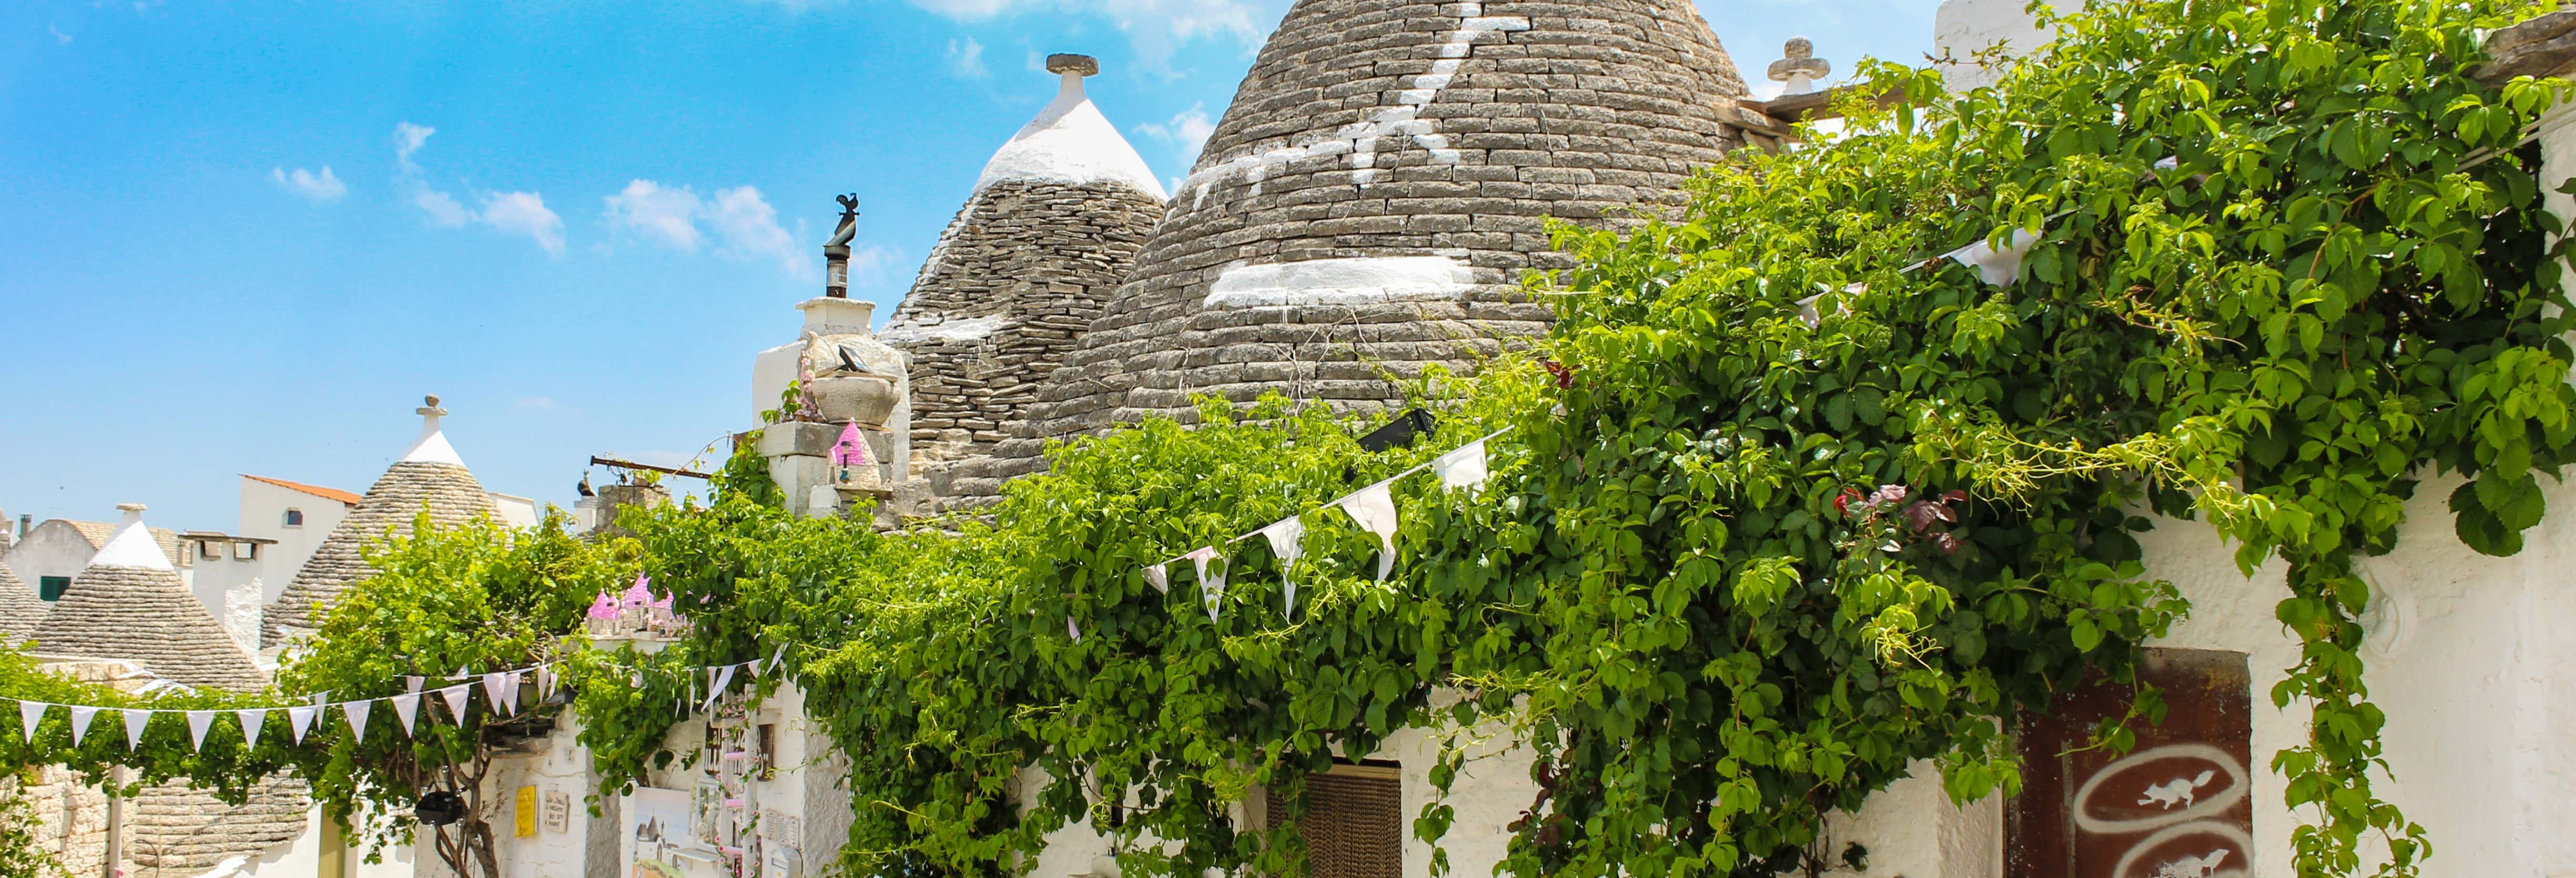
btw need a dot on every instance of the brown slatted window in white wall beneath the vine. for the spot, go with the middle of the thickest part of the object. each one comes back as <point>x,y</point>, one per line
<point>1354,823</point>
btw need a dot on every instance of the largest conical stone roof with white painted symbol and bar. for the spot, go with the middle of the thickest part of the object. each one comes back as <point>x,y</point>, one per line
<point>1379,184</point>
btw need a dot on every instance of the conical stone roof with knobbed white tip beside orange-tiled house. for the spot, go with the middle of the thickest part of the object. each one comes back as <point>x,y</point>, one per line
<point>429,478</point>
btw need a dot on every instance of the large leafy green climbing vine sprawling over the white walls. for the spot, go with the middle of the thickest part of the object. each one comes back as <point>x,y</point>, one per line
<point>1784,511</point>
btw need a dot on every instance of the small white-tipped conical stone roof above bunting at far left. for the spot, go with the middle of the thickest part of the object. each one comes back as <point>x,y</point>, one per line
<point>133,606</point>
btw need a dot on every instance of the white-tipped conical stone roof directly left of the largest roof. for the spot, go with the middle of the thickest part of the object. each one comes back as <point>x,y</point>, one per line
<point>1052,228</point>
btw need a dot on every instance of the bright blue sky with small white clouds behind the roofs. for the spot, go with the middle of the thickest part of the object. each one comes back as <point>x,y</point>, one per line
<point>243,238</point>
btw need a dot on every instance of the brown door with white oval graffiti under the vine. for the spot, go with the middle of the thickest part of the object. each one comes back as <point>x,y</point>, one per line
<point>2175,807</point>
